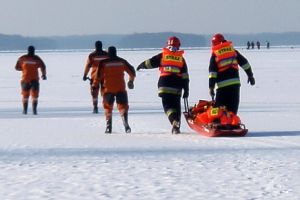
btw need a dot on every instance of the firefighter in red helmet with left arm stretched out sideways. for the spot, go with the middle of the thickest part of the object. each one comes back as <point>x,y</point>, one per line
<point>173,79</point>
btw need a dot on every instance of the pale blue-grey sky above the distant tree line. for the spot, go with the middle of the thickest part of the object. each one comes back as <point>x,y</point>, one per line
<point>79,17</point>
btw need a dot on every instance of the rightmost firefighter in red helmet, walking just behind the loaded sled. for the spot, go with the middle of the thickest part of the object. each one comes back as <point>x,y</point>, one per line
<point>223,73</point>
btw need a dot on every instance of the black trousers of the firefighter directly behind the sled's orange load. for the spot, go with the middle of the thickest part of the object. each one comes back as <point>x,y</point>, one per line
<point>230,97</point>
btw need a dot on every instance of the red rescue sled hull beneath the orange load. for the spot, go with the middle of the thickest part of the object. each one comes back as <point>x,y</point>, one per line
<point>213,129</point>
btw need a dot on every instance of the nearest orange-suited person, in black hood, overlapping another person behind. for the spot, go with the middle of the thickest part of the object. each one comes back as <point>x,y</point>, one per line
<point>111,73</point>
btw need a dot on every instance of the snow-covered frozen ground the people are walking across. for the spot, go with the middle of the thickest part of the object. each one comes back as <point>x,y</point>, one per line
<point>63,152</point>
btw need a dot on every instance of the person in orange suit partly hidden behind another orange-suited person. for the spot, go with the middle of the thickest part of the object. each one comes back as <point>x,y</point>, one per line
<point>92,63</point>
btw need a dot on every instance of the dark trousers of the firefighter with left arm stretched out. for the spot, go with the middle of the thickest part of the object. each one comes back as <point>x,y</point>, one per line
<point>172,106</point>
